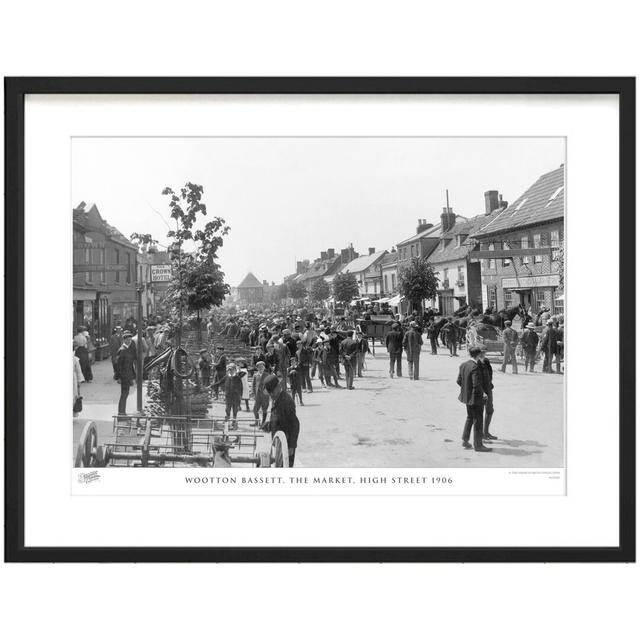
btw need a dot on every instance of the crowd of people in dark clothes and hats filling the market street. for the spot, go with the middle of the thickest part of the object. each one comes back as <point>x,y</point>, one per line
<point>291,350</point>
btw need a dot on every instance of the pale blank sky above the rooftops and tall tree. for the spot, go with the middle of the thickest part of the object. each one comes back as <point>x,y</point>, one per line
<point>288,199</point>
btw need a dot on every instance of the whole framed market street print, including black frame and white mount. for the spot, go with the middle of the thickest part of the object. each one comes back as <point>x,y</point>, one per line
<point>320,319</point>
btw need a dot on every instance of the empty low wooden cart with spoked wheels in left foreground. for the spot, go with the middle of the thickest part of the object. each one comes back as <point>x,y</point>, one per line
<point>169,441</point>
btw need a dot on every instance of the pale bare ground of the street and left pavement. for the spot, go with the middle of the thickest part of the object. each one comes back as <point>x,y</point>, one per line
<point>399,422</point>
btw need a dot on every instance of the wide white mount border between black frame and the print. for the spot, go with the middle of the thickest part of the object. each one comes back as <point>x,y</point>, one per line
<point>54,518</point>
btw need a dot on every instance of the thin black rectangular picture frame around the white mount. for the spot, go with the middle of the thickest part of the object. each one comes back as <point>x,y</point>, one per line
<point>15,91</point>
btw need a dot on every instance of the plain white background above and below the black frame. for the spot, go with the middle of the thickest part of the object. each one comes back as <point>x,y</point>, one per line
<point>330,39</point>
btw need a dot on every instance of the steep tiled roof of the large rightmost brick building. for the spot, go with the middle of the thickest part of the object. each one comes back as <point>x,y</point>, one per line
<point>542,202</point>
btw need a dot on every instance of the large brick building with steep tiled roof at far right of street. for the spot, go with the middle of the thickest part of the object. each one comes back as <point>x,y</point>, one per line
<point>519,248</point>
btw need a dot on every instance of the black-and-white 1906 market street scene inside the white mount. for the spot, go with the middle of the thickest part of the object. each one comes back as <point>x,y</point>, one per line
<point>319,302</point>
